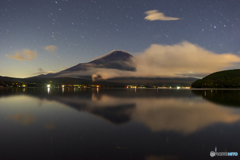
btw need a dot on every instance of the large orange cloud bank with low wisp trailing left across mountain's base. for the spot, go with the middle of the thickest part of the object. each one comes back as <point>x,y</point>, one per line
<point>180,60</point>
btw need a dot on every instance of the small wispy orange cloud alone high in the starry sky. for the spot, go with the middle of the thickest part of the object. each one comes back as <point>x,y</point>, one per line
<point>154,15</point>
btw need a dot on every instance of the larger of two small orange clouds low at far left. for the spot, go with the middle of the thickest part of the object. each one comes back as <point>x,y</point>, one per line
<point>25,54</point>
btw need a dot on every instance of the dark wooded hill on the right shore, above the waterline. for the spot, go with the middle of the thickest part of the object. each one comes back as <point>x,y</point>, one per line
<point>221,79</point>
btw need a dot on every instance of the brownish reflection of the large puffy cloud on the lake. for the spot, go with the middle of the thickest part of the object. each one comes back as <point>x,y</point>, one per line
<point>181,115</point>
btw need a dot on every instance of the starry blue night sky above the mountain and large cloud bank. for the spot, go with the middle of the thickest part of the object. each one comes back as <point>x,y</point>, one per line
<point>43,36</point>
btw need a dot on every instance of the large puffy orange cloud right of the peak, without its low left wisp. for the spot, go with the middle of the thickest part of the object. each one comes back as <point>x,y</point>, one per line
<point>184,59</point>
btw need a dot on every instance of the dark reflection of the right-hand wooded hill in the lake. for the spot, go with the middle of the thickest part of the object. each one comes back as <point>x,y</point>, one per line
<point>222,97</point>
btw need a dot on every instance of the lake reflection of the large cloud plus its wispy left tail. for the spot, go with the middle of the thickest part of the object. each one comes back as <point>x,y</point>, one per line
<point>168,114</point>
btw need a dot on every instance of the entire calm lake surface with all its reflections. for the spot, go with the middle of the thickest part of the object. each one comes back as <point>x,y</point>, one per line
<point>118,124</point>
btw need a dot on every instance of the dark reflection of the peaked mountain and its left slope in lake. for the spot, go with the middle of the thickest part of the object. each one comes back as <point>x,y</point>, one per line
<point>116,113</point>
